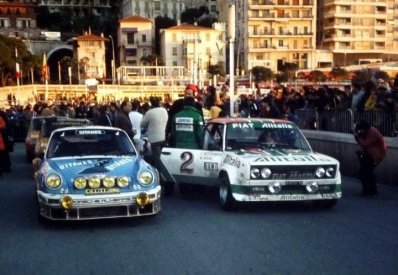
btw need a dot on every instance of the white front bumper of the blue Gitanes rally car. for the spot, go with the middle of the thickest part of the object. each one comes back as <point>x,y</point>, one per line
<point>98,206</point>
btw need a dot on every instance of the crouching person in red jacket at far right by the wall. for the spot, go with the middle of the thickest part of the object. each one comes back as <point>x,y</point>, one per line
<point>373,151</point>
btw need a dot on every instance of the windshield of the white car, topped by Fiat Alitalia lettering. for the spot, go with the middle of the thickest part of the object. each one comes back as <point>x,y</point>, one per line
<point>265,135</point>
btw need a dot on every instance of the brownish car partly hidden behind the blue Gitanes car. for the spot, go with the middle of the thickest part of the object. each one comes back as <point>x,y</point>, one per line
<point>49,124</point>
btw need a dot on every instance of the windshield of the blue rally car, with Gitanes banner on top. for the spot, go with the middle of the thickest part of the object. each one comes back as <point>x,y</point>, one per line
<point>88,141</point>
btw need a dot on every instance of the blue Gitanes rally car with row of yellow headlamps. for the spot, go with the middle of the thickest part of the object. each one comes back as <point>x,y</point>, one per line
<point>94,172</point>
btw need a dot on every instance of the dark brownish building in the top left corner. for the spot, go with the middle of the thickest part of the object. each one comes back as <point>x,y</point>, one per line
<point>18,19</point>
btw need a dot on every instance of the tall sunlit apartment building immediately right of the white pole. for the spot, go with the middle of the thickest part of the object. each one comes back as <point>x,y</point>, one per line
<point>272,32</point>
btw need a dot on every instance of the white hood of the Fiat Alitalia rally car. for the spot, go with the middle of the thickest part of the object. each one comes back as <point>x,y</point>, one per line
<point>284,156</point>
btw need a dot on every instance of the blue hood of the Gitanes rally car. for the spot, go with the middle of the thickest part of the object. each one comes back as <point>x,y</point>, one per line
<point>112,166</point>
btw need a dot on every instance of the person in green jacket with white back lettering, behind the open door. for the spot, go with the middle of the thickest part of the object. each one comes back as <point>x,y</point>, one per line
<point>188,126</point>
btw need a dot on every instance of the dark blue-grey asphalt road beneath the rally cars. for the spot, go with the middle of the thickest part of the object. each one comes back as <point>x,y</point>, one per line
<point>192,235</point>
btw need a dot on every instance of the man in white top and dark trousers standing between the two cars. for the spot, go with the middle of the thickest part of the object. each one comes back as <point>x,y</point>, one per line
<point>155,121</point>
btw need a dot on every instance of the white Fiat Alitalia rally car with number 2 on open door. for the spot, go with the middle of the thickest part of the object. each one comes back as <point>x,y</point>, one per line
<point>254,159</point>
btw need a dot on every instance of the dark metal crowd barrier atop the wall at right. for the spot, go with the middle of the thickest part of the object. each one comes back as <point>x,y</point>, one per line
<point>343,121</point>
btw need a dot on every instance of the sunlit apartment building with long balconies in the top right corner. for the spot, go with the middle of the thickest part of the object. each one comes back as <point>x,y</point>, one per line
<point>359,31</point>
